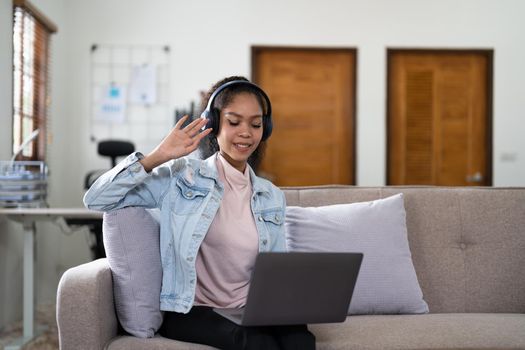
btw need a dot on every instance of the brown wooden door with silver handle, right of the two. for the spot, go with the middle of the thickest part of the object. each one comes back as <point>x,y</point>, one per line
<point>439,118</point>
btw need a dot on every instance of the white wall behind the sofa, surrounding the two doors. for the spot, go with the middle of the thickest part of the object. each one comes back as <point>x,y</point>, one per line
<point>212,39</point>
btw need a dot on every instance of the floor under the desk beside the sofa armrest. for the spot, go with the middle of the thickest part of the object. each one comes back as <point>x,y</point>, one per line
<point>47,341</point>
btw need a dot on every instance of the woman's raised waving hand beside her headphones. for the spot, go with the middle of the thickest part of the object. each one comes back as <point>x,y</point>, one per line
<point>178,143</point>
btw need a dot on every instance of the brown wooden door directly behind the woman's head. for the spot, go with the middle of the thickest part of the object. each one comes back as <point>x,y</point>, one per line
<point>313,99</point>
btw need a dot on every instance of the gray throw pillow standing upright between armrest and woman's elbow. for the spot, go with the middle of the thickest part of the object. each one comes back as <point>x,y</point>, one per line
<point>131,239</point>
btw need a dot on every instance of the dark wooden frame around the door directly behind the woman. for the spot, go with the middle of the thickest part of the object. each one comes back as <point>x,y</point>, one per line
<point>256,49</point>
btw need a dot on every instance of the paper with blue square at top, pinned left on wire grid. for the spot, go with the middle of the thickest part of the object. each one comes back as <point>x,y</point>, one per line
<point>112,106</point>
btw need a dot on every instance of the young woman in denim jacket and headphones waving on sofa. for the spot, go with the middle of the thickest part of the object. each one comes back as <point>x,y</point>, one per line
<point>216,215</point>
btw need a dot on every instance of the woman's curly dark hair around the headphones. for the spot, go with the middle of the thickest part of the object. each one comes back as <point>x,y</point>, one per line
<point>209,145</point>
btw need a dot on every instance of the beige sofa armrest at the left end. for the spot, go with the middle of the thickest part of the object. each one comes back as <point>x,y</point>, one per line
<point>85,309</point>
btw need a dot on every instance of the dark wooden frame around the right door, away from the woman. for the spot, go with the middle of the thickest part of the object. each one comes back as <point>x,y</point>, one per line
<point>489,54</point>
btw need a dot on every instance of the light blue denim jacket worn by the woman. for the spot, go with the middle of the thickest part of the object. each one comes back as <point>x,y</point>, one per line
<point>188,193</point>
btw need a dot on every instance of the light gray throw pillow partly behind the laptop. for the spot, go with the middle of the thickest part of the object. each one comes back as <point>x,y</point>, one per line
<point>387,282</point>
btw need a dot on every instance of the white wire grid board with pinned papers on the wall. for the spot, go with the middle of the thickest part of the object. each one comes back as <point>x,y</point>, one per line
<point>129,93</point>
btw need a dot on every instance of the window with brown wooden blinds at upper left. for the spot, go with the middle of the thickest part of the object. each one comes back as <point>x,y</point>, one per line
<point>31,48</point>
